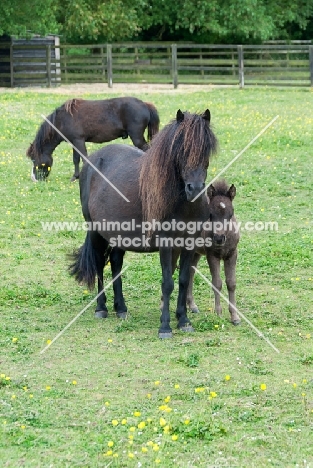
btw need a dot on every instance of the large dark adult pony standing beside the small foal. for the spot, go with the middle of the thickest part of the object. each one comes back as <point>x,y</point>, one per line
<point>160,186</point>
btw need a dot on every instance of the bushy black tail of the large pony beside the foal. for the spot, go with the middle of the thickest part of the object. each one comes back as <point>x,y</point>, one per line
<point>84,264</point>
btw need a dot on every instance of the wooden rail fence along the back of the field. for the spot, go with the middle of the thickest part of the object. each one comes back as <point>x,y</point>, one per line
<point>268,64</point>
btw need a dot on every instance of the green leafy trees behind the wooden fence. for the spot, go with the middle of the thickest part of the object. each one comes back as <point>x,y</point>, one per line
<point>199,21</point>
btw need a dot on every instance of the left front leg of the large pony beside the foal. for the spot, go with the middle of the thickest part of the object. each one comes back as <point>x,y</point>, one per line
<point>165,330</point>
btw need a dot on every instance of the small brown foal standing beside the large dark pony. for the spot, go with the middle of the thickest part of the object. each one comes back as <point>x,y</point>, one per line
<point>224,233</point>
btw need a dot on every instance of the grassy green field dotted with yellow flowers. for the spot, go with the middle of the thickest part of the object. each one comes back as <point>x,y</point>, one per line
<point>110,393</point>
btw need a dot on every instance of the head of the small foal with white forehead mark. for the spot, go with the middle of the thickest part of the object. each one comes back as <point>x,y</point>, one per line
<point>221,211</point>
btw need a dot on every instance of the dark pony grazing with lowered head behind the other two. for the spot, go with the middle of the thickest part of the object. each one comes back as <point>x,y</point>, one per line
<point>95,121</point>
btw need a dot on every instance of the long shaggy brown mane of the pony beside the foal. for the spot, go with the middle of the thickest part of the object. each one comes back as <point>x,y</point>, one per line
<point>180,144</point>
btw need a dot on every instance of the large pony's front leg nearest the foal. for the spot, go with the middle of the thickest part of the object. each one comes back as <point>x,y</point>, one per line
<point>186,258</point>
